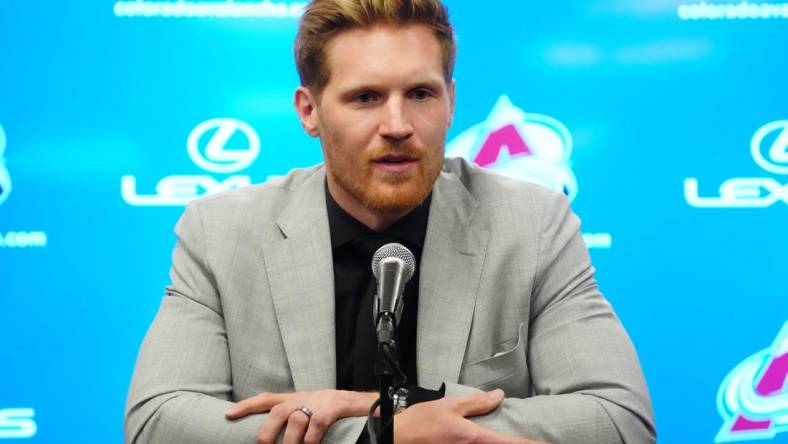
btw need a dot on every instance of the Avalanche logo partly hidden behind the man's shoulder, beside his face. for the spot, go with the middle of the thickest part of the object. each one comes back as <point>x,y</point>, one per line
<point>527,146</point>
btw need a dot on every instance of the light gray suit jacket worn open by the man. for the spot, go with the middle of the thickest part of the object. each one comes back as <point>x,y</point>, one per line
<point>507,299</point>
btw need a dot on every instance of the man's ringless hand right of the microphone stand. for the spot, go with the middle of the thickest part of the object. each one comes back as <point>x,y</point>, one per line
<point>444,421</point>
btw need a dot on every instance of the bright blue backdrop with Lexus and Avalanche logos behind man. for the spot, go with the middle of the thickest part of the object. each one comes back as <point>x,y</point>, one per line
<point>664,121</point>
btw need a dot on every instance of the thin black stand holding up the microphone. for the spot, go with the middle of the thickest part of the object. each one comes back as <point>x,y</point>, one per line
<point>386,369</point>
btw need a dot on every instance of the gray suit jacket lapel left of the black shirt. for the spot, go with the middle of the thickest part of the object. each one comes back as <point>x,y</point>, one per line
<point>300,273</point>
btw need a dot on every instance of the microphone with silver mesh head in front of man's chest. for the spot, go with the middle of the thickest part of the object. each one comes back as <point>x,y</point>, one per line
<point>393,266</point>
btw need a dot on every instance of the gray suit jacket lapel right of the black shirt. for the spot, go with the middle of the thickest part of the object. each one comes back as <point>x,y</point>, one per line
<point>452,260</point>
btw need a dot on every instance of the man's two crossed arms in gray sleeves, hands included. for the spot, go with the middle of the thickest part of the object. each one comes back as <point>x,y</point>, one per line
<point>586,390</point>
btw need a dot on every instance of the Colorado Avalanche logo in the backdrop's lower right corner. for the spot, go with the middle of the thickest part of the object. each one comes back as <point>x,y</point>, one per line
<point>753,398</point>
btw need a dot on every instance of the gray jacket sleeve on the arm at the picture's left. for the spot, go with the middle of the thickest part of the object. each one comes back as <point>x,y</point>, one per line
<point>182,382</point>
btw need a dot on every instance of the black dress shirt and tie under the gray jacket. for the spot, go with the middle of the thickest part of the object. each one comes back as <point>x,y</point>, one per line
<point>353,244</point>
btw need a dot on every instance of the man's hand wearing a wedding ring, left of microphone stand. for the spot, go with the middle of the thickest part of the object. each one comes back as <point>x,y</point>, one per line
<point>327,406</point>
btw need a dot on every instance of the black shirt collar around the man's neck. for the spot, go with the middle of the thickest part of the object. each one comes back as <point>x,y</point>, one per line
<point>344,228</point>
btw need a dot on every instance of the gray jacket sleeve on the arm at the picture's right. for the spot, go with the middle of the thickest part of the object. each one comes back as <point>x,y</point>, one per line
<point>586,381</point>
